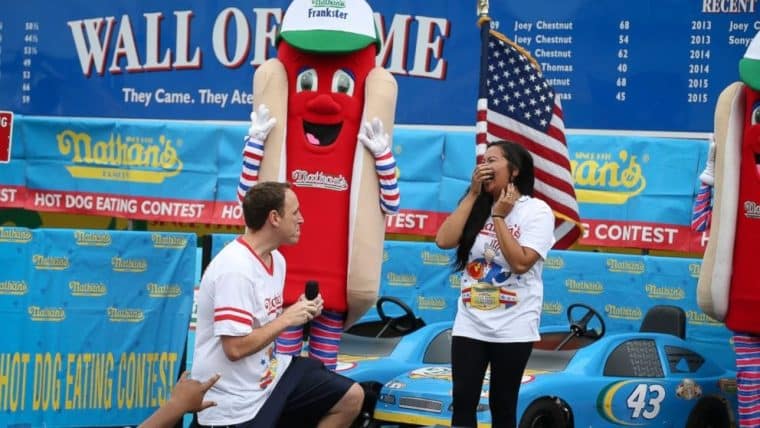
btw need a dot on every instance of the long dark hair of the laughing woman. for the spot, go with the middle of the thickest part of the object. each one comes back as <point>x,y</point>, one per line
<point>521,160</point>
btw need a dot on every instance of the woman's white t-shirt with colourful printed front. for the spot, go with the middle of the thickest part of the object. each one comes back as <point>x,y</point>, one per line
<point>496,305</point>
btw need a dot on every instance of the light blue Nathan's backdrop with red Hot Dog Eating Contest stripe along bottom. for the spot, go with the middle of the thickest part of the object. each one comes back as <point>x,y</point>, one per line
<point>633,191</point>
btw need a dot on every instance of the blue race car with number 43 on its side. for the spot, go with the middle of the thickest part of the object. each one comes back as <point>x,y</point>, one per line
<point>651,377</point>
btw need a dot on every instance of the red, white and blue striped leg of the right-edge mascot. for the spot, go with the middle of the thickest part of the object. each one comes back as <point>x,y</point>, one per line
<point>748,378</point>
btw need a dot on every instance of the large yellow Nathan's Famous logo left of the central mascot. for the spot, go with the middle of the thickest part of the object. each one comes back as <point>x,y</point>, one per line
<point>135,159</point>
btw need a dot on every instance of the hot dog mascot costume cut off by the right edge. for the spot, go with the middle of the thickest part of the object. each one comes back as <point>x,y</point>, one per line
<point>729,288</point>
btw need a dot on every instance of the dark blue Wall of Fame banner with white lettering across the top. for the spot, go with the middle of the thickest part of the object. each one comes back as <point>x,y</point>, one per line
<point>651,65</point>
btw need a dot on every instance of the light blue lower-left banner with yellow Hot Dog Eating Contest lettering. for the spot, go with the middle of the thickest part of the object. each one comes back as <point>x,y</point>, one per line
<point>99,324</point>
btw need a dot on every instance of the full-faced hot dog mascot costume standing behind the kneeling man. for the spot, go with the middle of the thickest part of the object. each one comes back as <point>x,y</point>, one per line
<point>321,119</point>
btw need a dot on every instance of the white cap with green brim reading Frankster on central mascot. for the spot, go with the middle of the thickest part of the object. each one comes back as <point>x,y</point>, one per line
<point>329,26</point>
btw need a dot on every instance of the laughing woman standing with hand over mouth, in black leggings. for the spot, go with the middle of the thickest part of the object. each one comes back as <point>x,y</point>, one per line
<point>502,235</point>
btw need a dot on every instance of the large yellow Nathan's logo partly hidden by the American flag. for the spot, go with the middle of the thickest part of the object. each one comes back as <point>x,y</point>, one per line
<point>600,179</point>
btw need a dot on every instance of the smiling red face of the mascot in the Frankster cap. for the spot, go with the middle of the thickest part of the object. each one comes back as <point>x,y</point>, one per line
<point>325,96</point>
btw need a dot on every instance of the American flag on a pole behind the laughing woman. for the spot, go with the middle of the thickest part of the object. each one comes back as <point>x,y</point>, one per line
<point>517,104</point>
